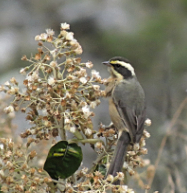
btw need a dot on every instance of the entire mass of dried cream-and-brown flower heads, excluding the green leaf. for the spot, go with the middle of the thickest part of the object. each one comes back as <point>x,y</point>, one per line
<point>57,99</point>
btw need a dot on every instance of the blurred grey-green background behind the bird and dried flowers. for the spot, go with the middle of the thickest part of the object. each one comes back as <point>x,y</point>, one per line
<point>151,34</point>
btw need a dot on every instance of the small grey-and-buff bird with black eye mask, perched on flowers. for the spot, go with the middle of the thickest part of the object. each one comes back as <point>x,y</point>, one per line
<point>126,107</point>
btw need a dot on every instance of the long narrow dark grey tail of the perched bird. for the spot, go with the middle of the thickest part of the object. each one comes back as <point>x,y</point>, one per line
<point>119,153</point>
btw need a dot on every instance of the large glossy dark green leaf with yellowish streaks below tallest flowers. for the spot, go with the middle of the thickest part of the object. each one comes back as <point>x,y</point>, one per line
<point>63,160</point>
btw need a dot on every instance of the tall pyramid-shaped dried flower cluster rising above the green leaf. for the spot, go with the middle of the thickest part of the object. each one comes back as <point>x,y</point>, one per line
<point>59,93</point>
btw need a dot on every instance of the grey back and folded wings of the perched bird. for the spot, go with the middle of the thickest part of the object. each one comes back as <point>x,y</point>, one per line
<point>129,99</point>
